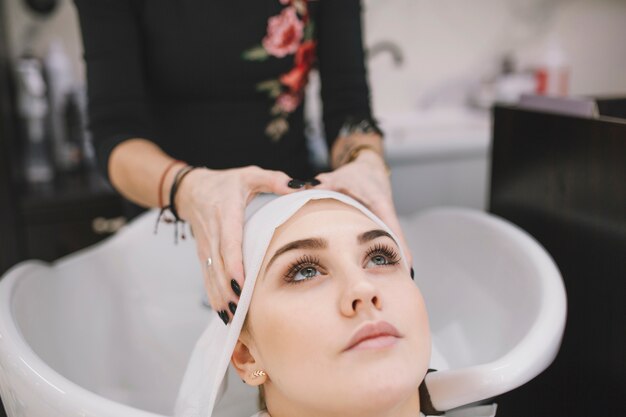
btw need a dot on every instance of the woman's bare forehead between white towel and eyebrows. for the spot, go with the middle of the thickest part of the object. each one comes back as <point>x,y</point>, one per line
<point>321,215</point>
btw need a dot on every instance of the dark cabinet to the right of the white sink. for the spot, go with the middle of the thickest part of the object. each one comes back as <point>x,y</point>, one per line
<point>563,180</point>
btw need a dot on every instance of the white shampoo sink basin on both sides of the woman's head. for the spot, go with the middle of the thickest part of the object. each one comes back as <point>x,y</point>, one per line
<point>107,331</point>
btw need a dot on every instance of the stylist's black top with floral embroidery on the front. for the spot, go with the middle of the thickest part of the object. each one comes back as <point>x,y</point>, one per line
<point>219,83</point>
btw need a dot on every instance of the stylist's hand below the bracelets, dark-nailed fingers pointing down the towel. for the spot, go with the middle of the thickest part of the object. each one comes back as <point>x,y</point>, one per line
<point>213,202</point>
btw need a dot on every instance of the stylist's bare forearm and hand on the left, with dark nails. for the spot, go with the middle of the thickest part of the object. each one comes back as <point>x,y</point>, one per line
<point>213,202</point>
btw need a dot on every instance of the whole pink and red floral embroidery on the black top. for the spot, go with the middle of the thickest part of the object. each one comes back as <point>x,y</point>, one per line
<point>289,33</point>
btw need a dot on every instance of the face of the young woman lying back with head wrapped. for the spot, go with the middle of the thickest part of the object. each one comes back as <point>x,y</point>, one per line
<point>329,272</point>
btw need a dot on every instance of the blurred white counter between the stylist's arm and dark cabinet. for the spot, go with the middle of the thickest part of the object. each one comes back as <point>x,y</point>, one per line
<point>437,158</point>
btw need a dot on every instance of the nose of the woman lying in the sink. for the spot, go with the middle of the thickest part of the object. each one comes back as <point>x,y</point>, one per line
<point>360,294</point>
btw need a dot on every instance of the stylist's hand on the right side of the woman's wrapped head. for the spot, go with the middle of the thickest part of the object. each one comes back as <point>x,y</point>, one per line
<point>366,180</point>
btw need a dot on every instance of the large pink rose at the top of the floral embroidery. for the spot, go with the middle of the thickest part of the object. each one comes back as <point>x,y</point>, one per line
<point>284,33</point>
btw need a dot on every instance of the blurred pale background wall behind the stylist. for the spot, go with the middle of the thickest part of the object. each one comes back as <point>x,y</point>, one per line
<point>446,44</point>
